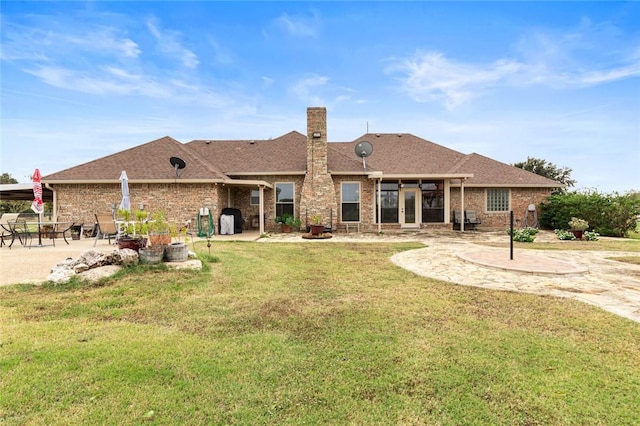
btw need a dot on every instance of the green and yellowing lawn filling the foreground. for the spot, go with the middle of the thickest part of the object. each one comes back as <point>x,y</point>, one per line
<point>316,334</point>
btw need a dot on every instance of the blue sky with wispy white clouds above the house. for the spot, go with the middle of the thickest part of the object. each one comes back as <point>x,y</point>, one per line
<point>509,80</point>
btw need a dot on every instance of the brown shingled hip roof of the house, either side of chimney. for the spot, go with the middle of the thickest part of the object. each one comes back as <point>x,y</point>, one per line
<point>394,155</point>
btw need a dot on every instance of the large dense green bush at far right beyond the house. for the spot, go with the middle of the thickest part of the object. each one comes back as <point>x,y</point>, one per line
<point>608,214</point>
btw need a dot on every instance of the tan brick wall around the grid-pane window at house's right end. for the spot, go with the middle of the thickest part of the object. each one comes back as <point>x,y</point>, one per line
<point>475,199</point>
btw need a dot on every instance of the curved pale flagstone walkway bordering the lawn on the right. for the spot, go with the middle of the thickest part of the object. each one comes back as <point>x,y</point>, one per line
<point>586,276</point>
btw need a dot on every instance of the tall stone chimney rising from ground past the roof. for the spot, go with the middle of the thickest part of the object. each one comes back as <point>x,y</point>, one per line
<point>318,195</point>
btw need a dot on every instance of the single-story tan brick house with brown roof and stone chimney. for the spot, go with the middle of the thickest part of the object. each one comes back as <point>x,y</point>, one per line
<point>406,182</point>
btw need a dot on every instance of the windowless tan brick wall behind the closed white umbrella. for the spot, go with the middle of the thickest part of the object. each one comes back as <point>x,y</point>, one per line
<point>79,202</point>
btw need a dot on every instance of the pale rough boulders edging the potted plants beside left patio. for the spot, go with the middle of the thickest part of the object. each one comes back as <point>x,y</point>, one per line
<point>93,265</point>
